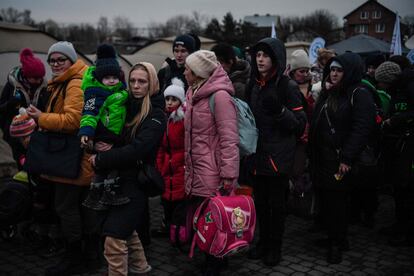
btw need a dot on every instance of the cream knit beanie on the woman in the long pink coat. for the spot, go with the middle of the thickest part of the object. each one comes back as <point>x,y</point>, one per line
<point>202,63</point>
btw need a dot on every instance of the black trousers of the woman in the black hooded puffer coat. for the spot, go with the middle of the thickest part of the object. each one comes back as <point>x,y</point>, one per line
<point>334,204</point>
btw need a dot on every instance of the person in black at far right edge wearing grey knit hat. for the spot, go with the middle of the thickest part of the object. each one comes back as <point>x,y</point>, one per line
<point>399,139</point>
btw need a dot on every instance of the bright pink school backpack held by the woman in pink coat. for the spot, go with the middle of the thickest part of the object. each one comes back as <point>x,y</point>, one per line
<point>224,225</point>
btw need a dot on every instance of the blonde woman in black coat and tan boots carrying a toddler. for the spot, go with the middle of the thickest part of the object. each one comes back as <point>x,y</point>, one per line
<point>144,128</point>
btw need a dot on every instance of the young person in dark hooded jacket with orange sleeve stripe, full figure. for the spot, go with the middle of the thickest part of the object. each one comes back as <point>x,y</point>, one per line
<point>276,104</point>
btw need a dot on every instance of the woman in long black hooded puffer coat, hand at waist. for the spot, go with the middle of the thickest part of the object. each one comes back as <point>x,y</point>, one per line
<point>342,125</point>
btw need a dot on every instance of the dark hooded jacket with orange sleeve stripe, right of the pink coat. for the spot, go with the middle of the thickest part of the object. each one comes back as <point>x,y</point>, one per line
<point>278,133</point>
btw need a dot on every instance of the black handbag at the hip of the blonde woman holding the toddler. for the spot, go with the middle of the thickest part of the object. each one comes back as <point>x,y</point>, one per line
<point>150,179</point>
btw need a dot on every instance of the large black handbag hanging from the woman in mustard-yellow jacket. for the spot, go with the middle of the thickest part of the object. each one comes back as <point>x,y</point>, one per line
<point>55,154</point>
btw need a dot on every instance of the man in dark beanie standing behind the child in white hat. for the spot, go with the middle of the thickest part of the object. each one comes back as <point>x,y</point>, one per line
<point>183,46</point>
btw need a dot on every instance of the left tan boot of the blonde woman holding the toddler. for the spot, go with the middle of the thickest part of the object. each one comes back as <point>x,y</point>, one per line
<point>116,254</point>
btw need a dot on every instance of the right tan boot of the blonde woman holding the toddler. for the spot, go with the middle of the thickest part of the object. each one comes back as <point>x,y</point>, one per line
<point>137,262</point>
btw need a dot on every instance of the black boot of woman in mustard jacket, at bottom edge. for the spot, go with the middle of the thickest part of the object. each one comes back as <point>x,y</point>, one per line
<point>71,262</point>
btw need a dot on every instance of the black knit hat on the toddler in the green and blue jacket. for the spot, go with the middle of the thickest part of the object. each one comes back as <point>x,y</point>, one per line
<point>106,63</point>
